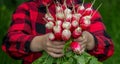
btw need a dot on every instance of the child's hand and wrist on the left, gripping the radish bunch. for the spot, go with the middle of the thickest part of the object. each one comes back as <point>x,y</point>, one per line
<point>53,48</point>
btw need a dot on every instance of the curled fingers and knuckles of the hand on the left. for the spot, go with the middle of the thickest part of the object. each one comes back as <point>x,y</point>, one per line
<point>53,48</point>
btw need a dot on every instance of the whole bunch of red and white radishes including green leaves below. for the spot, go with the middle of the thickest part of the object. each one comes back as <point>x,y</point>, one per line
<point>66,25</point>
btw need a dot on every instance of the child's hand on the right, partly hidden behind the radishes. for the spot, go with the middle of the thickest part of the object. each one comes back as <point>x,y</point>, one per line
<point>86,41</point>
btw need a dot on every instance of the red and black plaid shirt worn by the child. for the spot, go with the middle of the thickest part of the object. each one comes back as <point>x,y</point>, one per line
<point>27,23</point>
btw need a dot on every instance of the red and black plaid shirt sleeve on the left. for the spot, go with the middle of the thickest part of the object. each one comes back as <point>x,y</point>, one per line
<point>17,41</point>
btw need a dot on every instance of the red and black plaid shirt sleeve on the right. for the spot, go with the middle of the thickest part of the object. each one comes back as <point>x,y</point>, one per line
<point>103,44</point>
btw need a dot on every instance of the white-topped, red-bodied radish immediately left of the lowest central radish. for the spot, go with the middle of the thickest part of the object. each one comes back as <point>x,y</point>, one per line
<point>57,32</point>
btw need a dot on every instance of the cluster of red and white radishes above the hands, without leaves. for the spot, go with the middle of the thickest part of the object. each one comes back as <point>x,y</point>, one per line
<point>67,23</point>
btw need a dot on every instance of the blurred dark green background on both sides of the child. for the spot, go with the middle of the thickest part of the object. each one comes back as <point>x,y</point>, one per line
<point>110,12</point>
